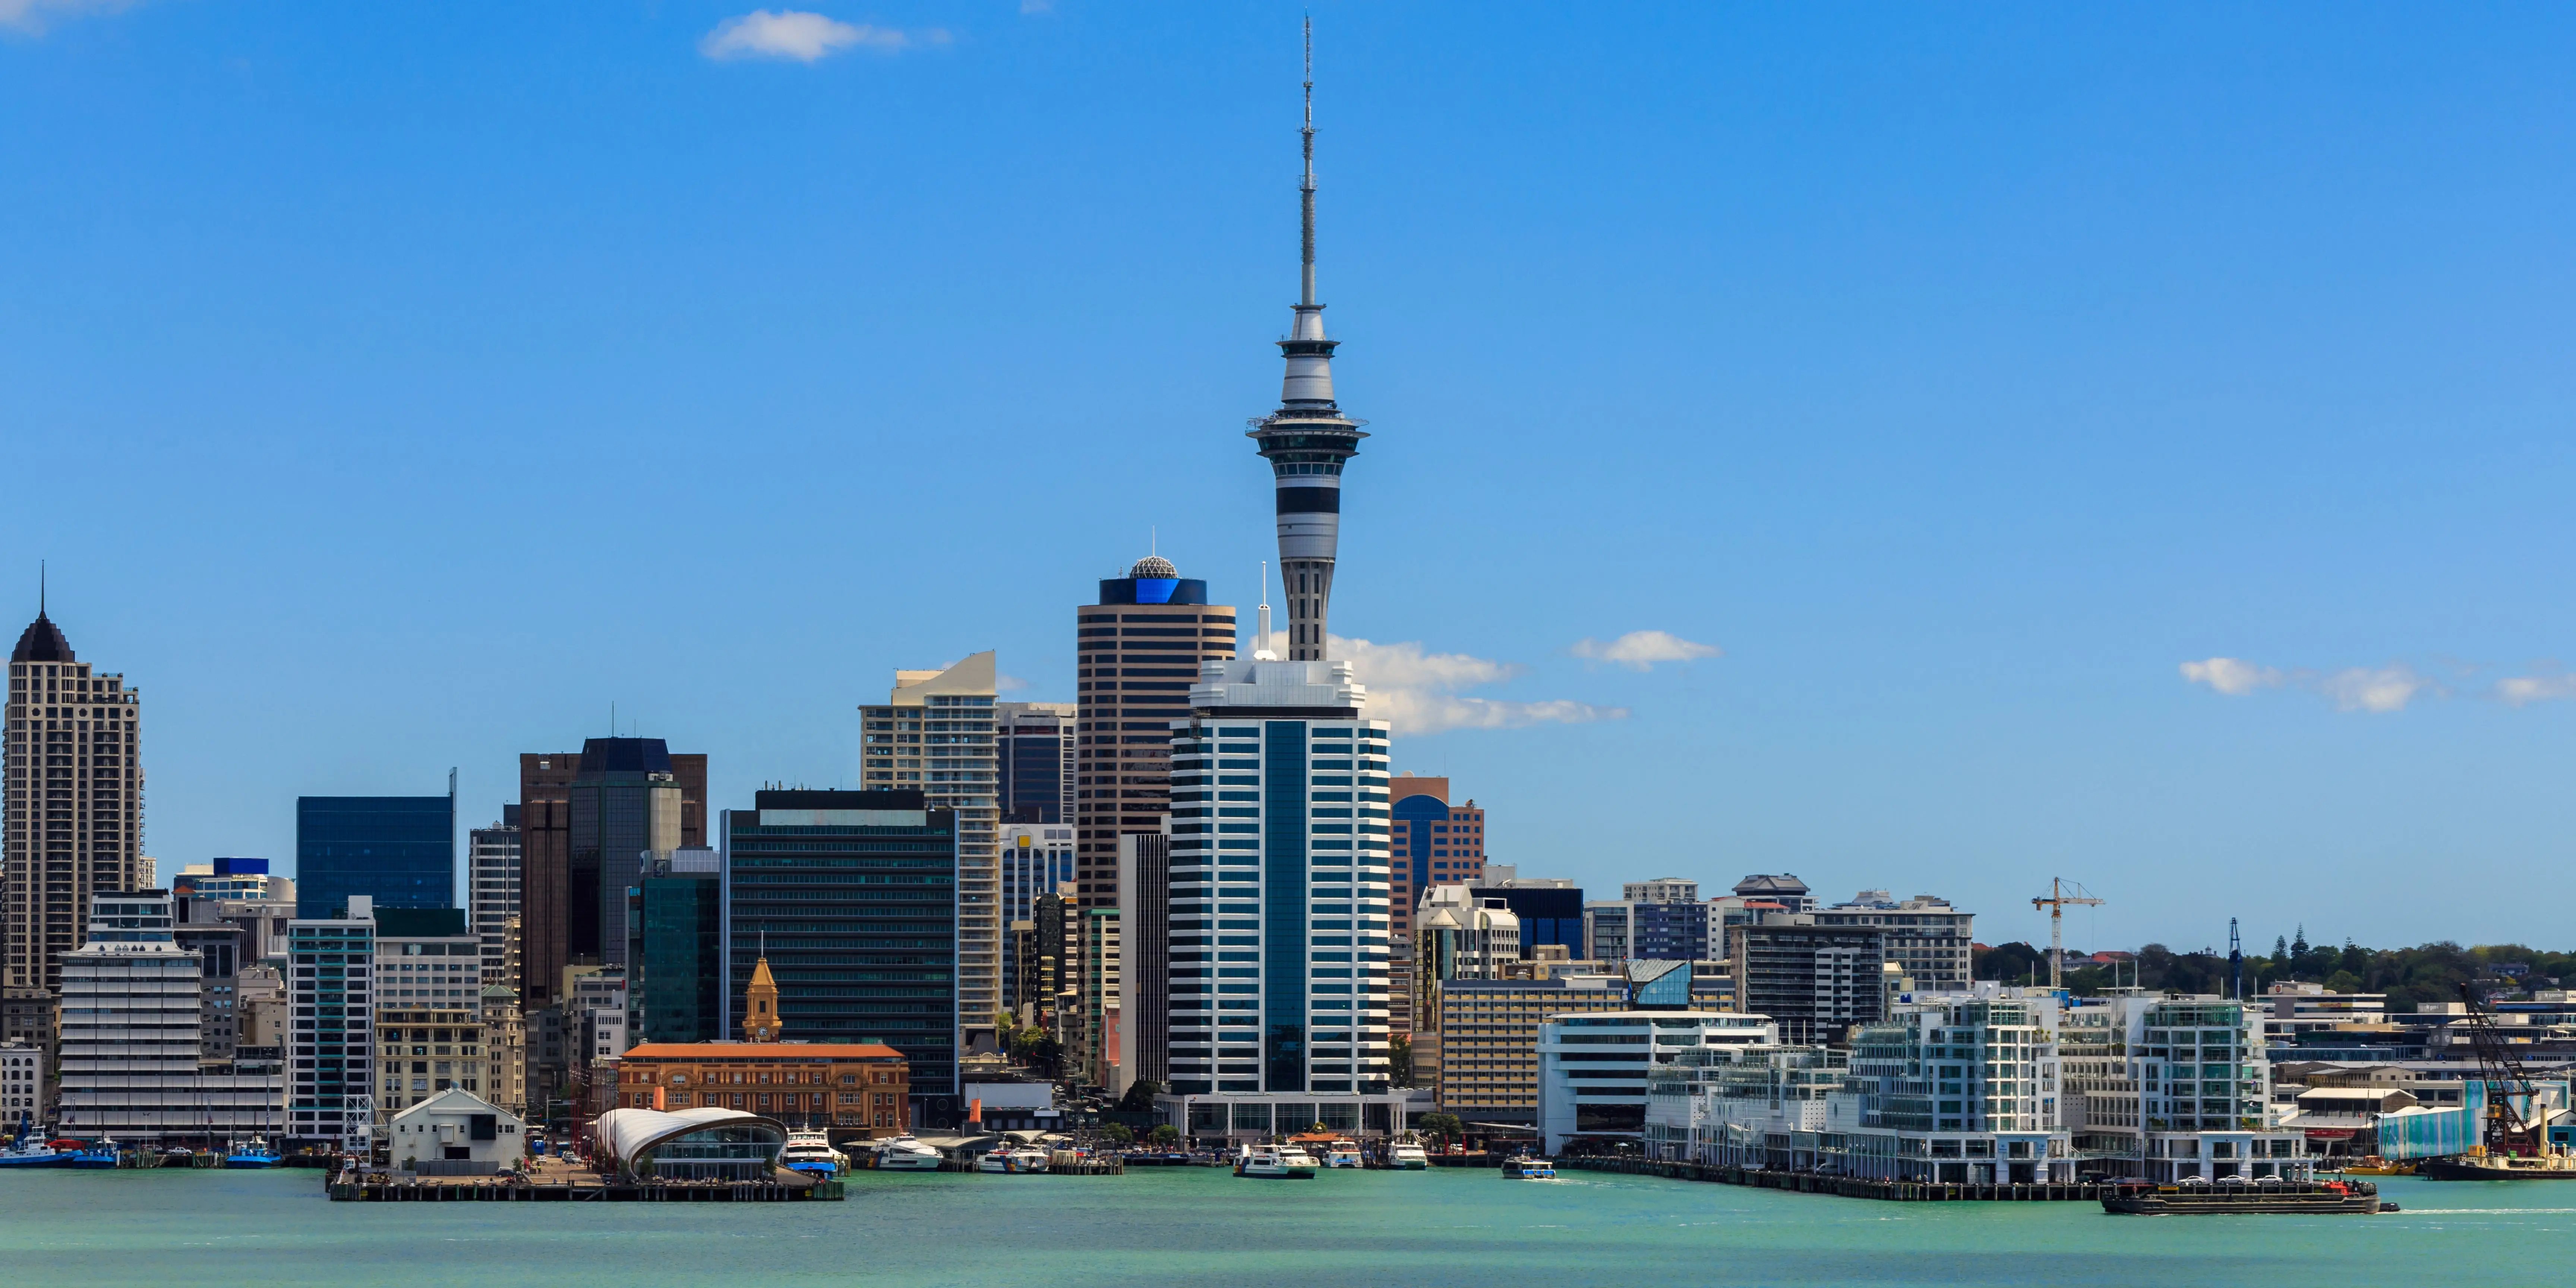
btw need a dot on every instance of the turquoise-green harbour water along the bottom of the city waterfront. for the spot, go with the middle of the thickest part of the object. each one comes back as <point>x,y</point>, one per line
<point>1379,1230</point>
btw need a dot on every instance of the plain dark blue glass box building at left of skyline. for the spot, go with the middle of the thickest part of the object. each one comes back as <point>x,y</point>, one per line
<point>393,849</point>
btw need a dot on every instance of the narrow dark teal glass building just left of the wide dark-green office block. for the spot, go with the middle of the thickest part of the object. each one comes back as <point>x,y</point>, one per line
<point>676,962</point>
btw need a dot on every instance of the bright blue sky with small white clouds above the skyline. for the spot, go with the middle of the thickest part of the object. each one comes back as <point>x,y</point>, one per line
<point>401,388</point>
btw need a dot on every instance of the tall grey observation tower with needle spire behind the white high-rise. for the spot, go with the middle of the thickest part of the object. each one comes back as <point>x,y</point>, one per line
<point>1307,439</point>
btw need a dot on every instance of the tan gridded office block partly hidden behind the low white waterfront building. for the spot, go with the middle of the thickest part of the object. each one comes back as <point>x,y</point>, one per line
<point>1480,1039</point>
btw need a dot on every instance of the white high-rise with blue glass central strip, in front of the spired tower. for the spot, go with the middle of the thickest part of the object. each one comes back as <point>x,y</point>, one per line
<point>1279,893</point>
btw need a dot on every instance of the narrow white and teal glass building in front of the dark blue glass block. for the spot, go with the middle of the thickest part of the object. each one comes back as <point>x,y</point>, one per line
<point>331,990</point>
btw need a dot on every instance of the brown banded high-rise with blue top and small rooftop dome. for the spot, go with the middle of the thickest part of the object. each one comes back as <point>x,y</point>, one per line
<point>1137,653</point>
